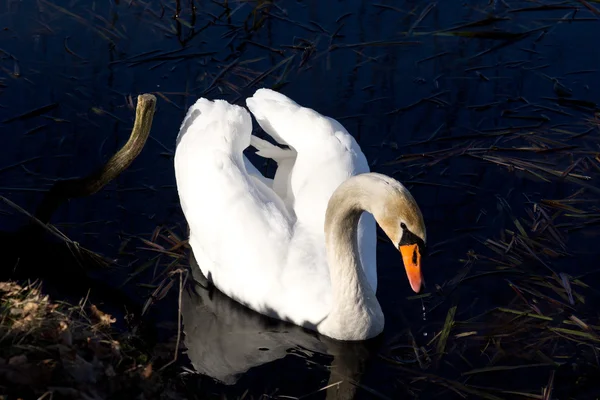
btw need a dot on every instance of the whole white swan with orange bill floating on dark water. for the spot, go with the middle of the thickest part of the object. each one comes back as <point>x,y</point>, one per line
<point>299,247</point>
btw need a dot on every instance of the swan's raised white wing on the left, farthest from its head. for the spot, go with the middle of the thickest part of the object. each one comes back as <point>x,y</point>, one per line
<point>240,229</point>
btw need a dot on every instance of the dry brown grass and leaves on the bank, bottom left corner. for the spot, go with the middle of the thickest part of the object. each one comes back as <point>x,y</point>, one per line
<point>52,349</point>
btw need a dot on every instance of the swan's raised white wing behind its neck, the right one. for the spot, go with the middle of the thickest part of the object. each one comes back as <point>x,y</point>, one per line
<point>326,156</point>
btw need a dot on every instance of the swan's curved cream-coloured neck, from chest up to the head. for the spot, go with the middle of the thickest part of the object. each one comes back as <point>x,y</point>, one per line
<point>355,313</point>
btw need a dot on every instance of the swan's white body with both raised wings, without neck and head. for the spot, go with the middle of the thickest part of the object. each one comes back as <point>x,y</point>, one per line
<point>258,250</point>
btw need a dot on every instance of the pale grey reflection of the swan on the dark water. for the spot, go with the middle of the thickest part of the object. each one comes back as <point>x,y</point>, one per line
<point>224,340</point>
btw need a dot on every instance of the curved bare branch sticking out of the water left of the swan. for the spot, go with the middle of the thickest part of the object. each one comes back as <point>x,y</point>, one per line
<point>88,185</point>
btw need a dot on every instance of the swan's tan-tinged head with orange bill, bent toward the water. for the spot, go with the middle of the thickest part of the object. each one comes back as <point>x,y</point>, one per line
<point>399,216</point>
